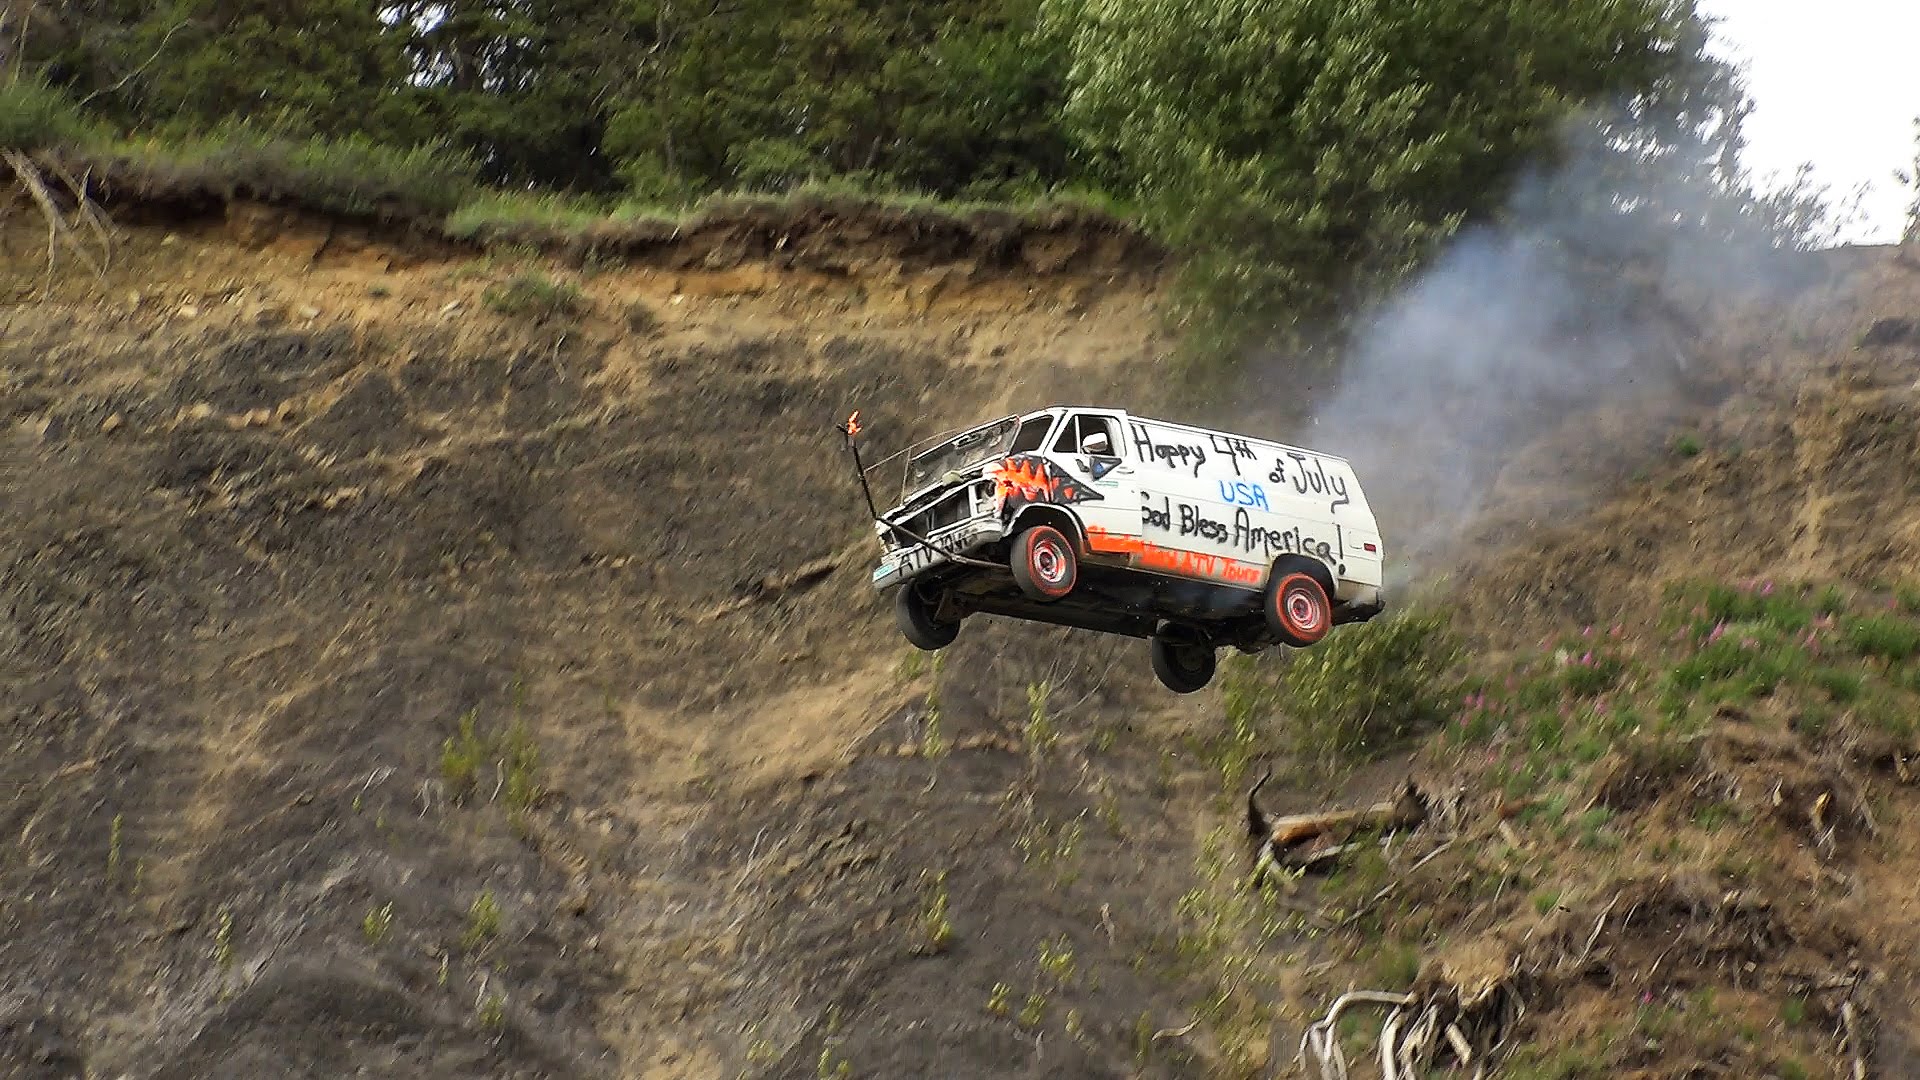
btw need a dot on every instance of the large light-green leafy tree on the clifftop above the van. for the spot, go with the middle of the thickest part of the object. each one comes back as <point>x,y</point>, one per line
<point>1307,153</point>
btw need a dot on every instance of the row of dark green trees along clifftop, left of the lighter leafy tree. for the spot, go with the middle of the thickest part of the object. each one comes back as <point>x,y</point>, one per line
<point>669,99</point>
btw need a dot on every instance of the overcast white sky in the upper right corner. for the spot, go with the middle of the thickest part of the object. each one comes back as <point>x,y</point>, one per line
<point>1836,86</point>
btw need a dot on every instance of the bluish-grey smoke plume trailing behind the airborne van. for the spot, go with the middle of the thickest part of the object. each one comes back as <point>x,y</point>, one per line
<point>1545,355</point>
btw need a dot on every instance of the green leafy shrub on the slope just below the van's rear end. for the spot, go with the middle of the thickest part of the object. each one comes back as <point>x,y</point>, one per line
<point>1372,685</point>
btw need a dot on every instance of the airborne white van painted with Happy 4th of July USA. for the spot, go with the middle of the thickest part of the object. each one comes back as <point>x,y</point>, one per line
<point>1101,520</point>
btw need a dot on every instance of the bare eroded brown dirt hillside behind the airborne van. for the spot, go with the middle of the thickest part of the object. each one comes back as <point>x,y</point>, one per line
<point>433,664</point>
